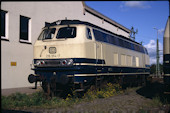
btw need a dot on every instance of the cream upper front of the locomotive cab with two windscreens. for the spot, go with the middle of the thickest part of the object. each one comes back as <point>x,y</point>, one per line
<point>62,42</point>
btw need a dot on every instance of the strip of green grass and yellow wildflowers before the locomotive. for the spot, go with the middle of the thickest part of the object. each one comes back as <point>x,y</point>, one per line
<point>38,100</point>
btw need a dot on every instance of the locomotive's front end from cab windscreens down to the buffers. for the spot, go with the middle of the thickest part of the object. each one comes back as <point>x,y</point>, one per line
<point>57,51</point>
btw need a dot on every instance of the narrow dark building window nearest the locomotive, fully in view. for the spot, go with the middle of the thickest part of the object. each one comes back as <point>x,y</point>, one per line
<point>24,29</point>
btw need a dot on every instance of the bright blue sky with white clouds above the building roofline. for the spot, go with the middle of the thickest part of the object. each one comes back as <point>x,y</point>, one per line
<point>142,15</point>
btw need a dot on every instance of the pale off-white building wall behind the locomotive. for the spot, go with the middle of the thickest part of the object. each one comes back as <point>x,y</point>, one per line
<point>22,53</point>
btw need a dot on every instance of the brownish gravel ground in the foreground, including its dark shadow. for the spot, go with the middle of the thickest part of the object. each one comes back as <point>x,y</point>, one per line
<point>133,100</point>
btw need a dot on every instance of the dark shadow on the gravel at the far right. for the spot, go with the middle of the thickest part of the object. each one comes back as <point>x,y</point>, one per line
<point>153,90</point>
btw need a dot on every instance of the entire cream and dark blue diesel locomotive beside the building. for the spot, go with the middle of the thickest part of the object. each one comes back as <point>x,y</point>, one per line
<point>77,54</point>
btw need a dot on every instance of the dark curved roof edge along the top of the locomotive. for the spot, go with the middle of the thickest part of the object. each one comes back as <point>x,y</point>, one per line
<point>71,22</point>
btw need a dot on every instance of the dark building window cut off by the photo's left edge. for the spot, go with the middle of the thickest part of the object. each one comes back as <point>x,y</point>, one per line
<point>4,22</point>
